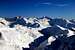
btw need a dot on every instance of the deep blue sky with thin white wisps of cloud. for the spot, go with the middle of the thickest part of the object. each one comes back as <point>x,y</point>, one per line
<point>63,8</point>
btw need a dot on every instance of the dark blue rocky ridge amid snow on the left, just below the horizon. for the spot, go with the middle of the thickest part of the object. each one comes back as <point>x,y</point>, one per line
<point>19,20</point>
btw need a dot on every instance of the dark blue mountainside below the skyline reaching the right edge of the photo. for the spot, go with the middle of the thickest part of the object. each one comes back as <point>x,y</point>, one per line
<point>62,23</point>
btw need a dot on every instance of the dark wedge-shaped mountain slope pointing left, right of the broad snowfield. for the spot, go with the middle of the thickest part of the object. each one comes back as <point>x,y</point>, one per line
<point>52,31</point>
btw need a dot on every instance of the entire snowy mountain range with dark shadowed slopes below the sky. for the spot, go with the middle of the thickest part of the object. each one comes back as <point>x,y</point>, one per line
<point>20,33</point>
